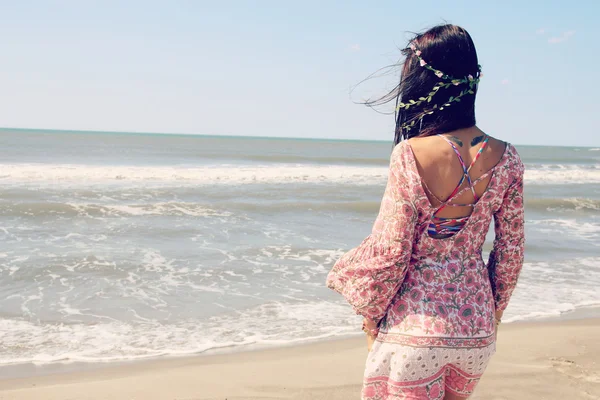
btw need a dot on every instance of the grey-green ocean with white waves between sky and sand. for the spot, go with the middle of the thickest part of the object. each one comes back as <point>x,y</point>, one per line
<point>120,246</point>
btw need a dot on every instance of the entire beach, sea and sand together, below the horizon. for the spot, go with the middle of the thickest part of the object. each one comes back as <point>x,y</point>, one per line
<point>130,263</point>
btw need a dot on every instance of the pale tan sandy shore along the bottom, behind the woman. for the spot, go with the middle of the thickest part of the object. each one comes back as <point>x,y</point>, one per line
<point>550,360</point>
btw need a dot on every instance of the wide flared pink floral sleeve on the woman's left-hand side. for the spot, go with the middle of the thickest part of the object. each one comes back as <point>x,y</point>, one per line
<point>370,275</point>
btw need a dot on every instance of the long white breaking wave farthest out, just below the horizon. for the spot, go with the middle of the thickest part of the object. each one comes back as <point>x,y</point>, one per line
<point>69,175</point>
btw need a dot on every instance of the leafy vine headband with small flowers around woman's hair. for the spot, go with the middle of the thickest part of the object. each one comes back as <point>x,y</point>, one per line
<point>447,81</point>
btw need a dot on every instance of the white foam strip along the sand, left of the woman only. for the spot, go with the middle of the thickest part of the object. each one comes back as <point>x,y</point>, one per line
<point>268,324</point>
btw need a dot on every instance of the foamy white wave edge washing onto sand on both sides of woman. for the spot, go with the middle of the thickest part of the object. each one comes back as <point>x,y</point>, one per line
<point>271,324</point>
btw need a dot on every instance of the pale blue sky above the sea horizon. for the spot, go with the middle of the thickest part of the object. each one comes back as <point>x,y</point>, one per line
<point>285,68</point>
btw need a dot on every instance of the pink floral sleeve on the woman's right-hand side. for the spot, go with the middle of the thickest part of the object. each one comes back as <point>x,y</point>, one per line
<point>506,258</point>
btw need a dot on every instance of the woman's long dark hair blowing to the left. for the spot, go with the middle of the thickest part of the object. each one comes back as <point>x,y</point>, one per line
<point>448,48</point>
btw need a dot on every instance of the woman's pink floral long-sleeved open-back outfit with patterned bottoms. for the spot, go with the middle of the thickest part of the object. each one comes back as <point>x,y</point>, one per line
<point>436,298</point>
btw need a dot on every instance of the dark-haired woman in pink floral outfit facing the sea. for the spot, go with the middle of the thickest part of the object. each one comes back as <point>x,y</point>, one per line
<point>431,305</point>
